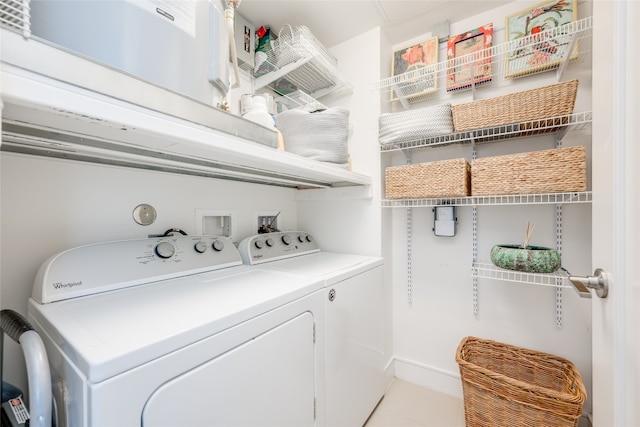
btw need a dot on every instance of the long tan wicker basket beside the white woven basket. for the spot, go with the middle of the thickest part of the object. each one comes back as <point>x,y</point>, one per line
<point>546,102</point>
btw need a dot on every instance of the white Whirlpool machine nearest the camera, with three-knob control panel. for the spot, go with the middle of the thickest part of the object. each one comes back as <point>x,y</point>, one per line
<point>175,331</point>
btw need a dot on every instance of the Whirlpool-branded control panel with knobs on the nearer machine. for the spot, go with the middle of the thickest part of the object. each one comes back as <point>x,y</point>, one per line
<point>102,267</point>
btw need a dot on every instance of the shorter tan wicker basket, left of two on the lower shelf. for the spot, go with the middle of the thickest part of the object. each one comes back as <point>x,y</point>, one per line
<point>446,178</point>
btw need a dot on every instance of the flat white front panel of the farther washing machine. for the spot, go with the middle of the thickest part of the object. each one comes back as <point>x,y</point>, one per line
<point>355,348</point>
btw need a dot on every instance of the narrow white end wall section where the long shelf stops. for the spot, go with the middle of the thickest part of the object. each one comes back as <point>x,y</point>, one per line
<point>333,221</point>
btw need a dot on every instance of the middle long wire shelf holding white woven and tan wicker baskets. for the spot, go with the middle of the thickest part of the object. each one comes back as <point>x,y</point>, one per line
<point>571,122</point>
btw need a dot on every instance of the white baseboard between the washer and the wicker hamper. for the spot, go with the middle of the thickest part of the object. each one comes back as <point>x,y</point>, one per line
<point>439,380</point>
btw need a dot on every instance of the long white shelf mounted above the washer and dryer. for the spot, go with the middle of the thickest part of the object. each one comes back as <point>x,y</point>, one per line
<point>62,105</point>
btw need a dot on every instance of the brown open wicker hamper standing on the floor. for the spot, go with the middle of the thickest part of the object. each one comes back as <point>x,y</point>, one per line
<point>505,385</point>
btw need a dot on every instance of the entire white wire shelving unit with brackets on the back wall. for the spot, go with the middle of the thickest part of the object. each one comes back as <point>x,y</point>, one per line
<point>497,66</point>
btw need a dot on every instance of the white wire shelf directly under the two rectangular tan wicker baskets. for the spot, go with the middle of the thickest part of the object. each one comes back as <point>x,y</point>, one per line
<point>497,200</point>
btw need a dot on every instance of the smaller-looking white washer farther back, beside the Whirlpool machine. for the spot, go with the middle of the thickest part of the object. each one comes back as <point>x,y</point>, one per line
<point>353,297</point>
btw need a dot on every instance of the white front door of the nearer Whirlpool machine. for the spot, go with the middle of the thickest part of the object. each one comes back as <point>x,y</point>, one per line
<point>279,365</point>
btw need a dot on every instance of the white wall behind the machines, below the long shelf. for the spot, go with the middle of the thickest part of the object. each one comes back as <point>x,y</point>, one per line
<point>51,205</point>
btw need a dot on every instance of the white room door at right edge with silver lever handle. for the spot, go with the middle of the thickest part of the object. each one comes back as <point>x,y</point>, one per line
<point>615,231</point>
